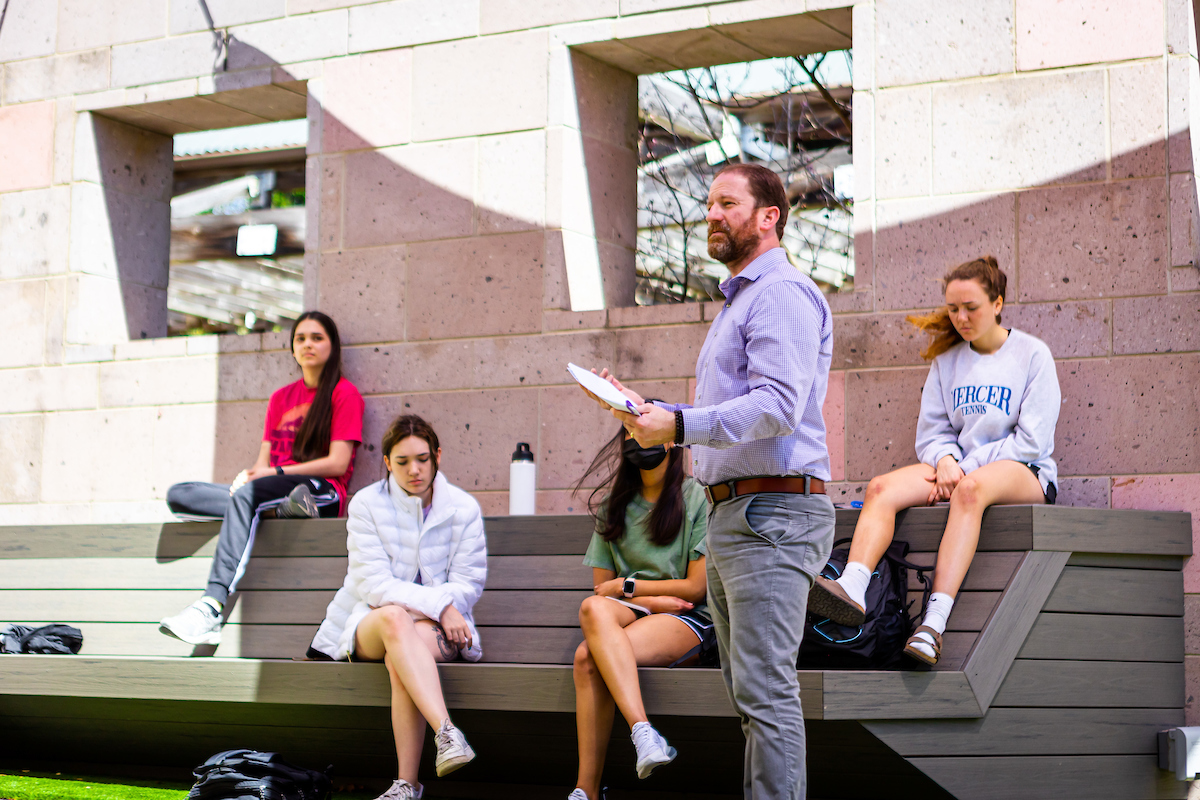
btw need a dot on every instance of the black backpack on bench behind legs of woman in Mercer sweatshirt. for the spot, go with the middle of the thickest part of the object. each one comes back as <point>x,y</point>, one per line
<point>879,642</point>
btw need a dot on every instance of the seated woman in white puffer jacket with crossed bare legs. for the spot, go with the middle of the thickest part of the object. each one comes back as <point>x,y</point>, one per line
<point>418,562</point>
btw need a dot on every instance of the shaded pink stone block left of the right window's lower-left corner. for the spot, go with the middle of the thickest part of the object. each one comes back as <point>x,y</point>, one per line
<point>476,287</point>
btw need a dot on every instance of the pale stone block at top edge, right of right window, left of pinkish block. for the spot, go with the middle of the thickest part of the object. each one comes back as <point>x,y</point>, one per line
<point>920,41</point>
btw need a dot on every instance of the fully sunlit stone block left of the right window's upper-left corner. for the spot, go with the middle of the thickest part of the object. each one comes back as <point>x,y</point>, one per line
<point>452,101</point>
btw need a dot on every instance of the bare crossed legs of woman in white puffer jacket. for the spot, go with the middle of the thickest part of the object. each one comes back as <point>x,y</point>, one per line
<point>411,651</point>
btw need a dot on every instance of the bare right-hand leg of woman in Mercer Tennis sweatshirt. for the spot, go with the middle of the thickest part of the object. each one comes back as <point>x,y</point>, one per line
<point>1003,483</point>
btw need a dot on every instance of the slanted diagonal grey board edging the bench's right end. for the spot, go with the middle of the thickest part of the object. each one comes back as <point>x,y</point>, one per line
<point>1005,634</point>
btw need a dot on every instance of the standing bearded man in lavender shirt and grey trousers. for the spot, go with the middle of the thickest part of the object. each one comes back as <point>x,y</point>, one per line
<point>759,446</point>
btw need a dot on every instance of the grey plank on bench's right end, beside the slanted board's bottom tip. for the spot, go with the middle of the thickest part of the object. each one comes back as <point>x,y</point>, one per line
<point>1093,684</point>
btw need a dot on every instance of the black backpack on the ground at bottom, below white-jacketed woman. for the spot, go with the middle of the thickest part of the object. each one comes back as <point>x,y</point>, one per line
<point>254,775</point>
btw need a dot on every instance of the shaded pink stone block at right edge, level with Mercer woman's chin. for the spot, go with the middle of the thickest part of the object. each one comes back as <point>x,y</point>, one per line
<point>1160,324</point>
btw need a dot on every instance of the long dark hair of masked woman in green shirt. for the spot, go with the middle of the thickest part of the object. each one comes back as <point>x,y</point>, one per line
<point>622,483</point>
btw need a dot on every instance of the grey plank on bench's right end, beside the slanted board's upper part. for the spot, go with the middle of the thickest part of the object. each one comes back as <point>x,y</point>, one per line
<point>1102,591</point>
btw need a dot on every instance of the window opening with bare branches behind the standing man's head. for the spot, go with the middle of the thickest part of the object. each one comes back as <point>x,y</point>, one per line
<point>791,115</point>
